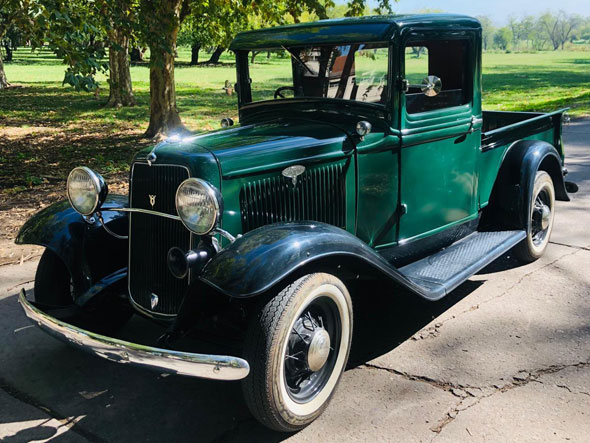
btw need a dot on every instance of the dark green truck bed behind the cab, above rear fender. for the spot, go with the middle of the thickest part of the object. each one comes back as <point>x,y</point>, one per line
<point>501,128</point>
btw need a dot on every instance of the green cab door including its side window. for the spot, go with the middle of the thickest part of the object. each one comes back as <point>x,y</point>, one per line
<point>439,140</point>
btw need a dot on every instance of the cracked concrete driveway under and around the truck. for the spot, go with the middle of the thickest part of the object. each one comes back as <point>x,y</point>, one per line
<point>506,357</point>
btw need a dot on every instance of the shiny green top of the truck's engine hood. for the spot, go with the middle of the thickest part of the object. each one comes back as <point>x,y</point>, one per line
<point>250,149</point>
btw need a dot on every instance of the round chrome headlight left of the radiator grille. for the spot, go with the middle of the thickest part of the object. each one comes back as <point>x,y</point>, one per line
<point>86,190</point>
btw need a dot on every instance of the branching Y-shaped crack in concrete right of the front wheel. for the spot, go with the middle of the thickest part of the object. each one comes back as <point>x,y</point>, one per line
<point>470,396</point>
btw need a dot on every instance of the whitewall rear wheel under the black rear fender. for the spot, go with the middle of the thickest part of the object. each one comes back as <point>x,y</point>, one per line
<point>541,215</point>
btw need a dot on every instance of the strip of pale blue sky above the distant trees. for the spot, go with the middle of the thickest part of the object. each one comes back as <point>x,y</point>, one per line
<point>497,10</point>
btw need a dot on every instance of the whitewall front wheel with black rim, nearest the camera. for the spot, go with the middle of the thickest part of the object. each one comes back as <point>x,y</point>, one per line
<point>297,346</point>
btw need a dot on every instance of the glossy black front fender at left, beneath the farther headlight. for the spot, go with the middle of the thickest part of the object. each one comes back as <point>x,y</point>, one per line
<point>89,253</point>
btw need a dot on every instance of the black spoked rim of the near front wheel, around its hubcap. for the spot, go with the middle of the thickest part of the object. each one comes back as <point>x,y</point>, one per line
<point>302,383</point>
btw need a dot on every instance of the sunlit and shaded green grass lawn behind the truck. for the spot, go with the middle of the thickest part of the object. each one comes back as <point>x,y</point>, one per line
<point>46,128</point>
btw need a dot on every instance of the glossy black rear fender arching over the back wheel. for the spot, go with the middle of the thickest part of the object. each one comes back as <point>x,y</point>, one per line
<point>510,200</point>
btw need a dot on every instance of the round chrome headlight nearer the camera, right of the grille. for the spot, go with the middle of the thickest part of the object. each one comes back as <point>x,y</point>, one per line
<point>199,205</point>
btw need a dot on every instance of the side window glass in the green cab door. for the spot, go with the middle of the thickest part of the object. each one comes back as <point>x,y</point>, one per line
<point>446,59</point>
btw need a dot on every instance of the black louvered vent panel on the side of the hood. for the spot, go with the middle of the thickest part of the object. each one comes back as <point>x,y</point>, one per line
<point>318,195</point>
